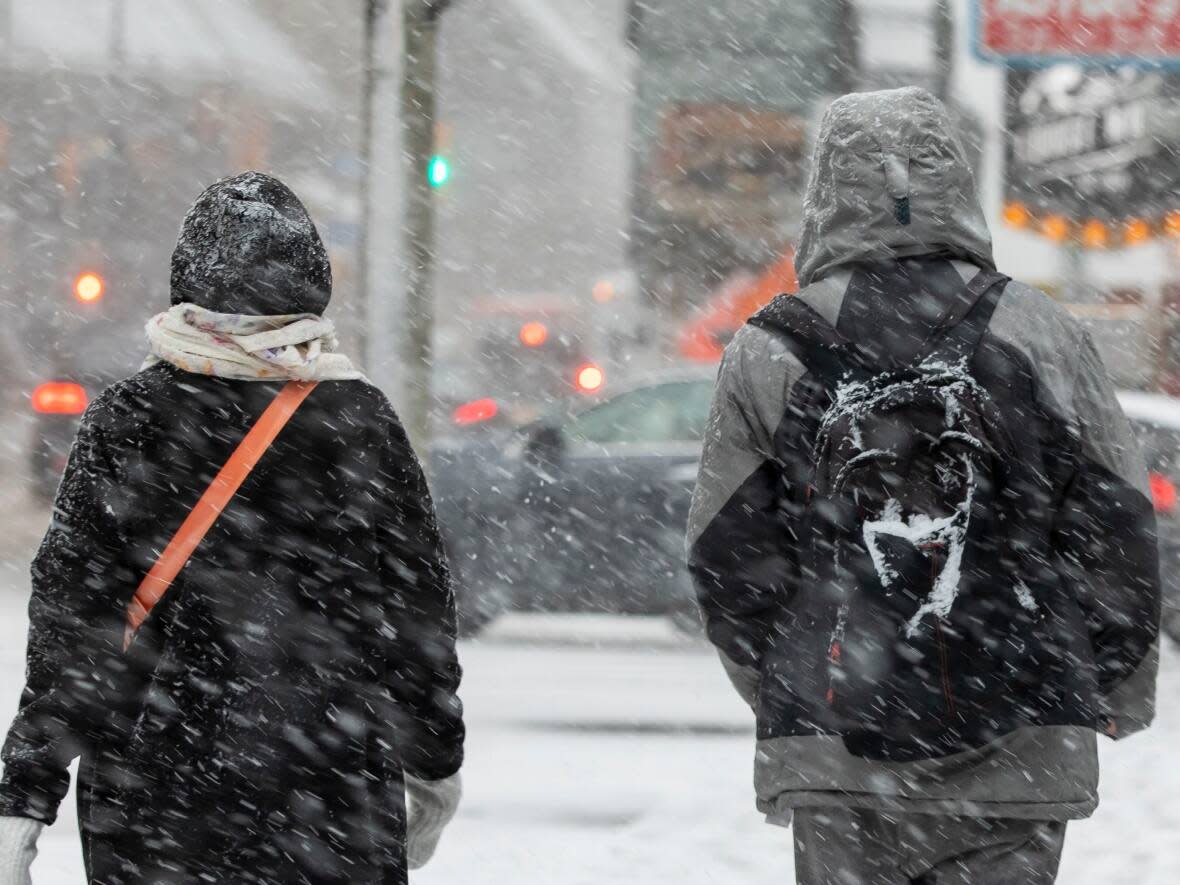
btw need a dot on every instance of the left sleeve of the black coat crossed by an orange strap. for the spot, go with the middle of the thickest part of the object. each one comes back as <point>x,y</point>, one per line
<point>71,693</point>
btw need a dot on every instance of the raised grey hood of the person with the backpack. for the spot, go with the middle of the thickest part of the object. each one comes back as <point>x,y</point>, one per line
<point>889,180</point>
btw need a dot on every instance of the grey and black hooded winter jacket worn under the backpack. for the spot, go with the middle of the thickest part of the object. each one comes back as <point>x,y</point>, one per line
<point>890,182</point>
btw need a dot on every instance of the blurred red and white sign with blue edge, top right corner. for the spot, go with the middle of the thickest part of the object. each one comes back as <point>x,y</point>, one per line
<point>1086,30</point>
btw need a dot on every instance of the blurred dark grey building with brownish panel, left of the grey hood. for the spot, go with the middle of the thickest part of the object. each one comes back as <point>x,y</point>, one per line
<point>724,96</point>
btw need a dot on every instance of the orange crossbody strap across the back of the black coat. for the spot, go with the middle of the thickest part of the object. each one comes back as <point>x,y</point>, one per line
<point>219,495</point>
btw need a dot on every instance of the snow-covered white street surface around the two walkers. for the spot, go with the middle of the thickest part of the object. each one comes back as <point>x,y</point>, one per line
<point>613,750</point>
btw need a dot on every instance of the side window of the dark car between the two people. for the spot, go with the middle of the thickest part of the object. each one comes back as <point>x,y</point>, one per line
<point>674,412</point>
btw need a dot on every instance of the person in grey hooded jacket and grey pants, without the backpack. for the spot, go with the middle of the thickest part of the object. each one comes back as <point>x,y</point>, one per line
<point>893,234</point>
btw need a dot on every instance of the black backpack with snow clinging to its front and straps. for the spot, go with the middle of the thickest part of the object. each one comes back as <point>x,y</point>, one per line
<point>907,546</point>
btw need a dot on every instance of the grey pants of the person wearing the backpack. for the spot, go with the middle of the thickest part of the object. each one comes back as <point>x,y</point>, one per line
<point>853,847</point>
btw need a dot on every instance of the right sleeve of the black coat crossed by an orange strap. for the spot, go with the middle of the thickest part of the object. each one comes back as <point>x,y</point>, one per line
<point>421,665</point>
